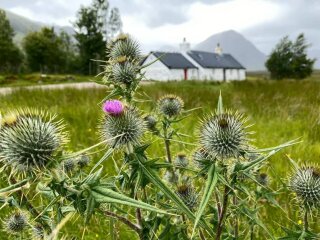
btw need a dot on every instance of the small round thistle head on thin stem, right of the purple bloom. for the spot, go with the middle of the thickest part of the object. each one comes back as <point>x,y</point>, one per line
<point>170,105</point>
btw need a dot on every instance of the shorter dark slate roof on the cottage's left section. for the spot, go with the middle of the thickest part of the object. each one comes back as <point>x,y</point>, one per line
<point>173,60</point>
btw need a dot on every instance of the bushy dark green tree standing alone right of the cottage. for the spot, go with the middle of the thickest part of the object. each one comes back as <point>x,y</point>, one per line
<point>289,59</point>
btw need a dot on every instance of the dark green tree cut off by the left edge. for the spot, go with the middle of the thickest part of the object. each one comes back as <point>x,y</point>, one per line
<point>11,56</point>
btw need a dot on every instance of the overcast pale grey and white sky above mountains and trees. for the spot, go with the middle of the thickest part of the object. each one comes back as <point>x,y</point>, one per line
<point>156,23</point>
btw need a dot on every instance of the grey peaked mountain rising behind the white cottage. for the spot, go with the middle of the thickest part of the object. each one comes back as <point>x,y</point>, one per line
<point>238,46</point>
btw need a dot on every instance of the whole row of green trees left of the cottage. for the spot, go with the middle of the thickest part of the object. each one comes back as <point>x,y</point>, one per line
<point>47,51</point>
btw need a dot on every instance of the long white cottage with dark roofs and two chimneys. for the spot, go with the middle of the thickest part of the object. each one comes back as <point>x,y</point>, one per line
<point>195,65</point>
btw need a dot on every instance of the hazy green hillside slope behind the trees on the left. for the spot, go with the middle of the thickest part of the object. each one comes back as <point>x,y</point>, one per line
<point>22,26</point>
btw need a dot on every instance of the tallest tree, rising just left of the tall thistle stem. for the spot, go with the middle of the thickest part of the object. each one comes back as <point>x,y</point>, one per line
<point>93,29</point>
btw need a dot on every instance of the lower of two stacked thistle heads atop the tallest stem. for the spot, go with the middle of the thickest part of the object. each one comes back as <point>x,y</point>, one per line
<point>124,72</point>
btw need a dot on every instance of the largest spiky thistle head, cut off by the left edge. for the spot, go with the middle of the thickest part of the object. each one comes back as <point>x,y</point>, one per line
<point>30,139</point>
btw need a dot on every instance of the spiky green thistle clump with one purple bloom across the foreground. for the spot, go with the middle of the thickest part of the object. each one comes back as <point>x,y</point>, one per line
<point>213,191</point>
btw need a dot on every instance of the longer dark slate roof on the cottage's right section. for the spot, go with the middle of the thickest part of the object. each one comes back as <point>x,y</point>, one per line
<point>214,60</point>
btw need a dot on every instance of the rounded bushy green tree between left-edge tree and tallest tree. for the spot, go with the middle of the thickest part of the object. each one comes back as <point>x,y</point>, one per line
<point>44,50</point>
